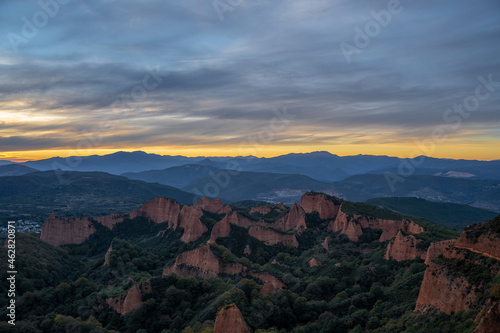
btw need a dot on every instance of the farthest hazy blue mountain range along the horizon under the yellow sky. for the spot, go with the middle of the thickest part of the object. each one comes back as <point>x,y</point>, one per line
<point>321,165</point>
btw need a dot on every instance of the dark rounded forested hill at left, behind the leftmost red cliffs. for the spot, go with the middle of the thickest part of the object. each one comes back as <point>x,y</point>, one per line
<point>36,195</point>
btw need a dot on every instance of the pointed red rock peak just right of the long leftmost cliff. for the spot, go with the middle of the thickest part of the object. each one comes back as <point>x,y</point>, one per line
<point>160,210</point>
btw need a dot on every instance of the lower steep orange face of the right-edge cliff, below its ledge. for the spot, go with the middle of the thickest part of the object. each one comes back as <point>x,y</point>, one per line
<point>445,294</point>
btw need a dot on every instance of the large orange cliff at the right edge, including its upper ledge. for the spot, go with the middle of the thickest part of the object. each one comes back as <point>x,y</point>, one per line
<point>452,290</point>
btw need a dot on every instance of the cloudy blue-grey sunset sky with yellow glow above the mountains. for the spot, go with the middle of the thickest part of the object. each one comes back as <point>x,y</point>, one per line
<point>250,77</point>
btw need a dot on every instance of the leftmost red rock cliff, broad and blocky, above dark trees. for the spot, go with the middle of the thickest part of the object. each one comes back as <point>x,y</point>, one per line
<point>60,231</point>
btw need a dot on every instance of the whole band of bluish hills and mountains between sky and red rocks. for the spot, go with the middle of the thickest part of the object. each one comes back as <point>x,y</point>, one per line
<point>278,179</point>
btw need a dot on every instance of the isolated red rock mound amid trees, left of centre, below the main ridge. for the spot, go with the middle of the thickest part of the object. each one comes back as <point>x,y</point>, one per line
<point>201,262</point>
